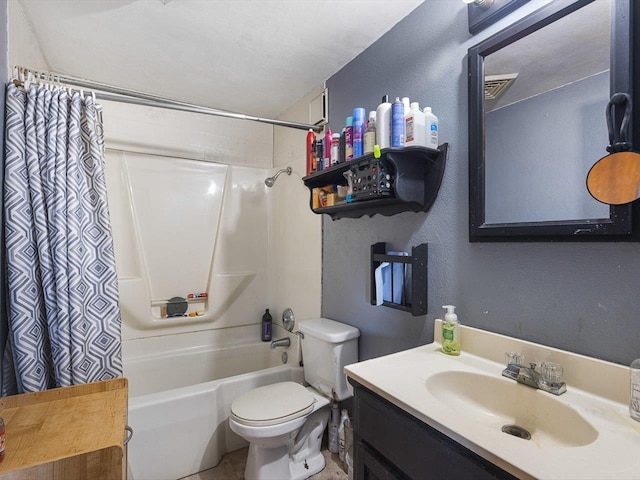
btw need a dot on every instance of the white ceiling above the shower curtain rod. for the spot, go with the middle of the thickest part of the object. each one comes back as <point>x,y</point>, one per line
<point>250,56</point>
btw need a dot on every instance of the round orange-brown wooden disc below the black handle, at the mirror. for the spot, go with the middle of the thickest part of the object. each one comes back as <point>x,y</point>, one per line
<point>615,179</point>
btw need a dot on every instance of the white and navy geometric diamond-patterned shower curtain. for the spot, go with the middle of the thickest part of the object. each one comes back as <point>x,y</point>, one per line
<point>64,320</point>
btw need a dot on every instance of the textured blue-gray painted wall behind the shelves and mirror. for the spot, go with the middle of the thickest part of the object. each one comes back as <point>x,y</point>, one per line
<point>582,297</point>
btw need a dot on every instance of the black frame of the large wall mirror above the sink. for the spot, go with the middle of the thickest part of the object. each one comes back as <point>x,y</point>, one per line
<point>623,223</point>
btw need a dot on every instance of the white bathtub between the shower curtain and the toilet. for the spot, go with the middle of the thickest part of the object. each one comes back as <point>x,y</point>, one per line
<point>180,398</point>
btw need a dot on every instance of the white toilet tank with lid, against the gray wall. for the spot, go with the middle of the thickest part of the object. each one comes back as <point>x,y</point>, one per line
<point>327,347</point>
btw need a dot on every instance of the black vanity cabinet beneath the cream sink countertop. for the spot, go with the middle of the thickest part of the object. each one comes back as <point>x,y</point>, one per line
<point>389,443</point>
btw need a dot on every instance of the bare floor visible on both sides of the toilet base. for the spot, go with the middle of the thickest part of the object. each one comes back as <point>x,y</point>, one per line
<point>232,468</point>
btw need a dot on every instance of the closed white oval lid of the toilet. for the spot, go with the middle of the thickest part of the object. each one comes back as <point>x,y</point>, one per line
<point>272,404</point>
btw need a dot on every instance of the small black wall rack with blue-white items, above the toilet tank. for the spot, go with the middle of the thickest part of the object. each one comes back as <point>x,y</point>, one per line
<point>417,284</point>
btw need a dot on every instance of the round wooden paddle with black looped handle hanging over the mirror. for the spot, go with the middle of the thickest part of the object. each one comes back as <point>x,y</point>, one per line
<point>615,179</point>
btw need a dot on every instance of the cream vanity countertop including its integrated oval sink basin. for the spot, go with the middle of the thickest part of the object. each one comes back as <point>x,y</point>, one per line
<point>583,433</point>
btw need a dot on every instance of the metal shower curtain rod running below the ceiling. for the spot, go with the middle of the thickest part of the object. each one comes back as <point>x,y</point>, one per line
<point>116,94</point>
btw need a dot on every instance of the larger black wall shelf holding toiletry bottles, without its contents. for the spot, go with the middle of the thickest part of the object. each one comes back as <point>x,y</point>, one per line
<point>418,175</point>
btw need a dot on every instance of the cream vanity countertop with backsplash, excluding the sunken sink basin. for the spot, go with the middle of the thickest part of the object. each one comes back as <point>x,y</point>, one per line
<point>596,390</point>
